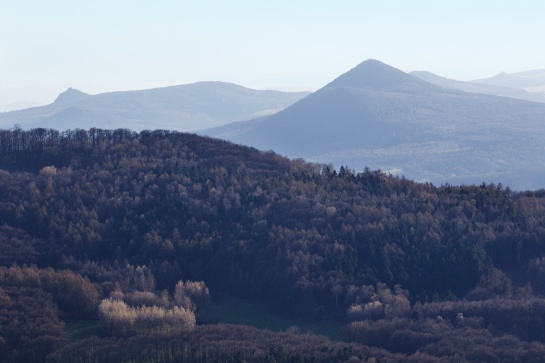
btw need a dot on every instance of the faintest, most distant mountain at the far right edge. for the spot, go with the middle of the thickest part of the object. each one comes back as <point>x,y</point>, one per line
<point>531,81</point>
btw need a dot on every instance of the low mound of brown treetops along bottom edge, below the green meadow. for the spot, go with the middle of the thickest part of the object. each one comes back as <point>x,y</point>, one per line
<point>216,343</point>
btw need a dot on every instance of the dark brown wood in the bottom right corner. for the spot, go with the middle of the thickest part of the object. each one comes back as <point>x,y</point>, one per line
<point>466,339</point>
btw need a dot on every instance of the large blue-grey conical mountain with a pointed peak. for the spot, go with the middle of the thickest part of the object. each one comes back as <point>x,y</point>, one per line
<point>380,117</point>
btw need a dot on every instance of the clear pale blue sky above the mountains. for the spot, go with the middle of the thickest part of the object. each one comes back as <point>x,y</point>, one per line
<point>101,46</point>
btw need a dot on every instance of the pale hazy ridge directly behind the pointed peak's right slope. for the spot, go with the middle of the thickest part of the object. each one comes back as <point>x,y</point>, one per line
<point>478,87</point>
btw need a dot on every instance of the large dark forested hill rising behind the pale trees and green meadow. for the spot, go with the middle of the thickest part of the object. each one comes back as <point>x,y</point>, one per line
<point>142,211</point>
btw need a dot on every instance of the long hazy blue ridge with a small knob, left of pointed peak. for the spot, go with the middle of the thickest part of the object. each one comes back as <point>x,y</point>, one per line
<point>187,108</point>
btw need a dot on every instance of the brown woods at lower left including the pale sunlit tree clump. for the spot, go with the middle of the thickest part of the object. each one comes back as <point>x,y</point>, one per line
<point>34,303</point>
